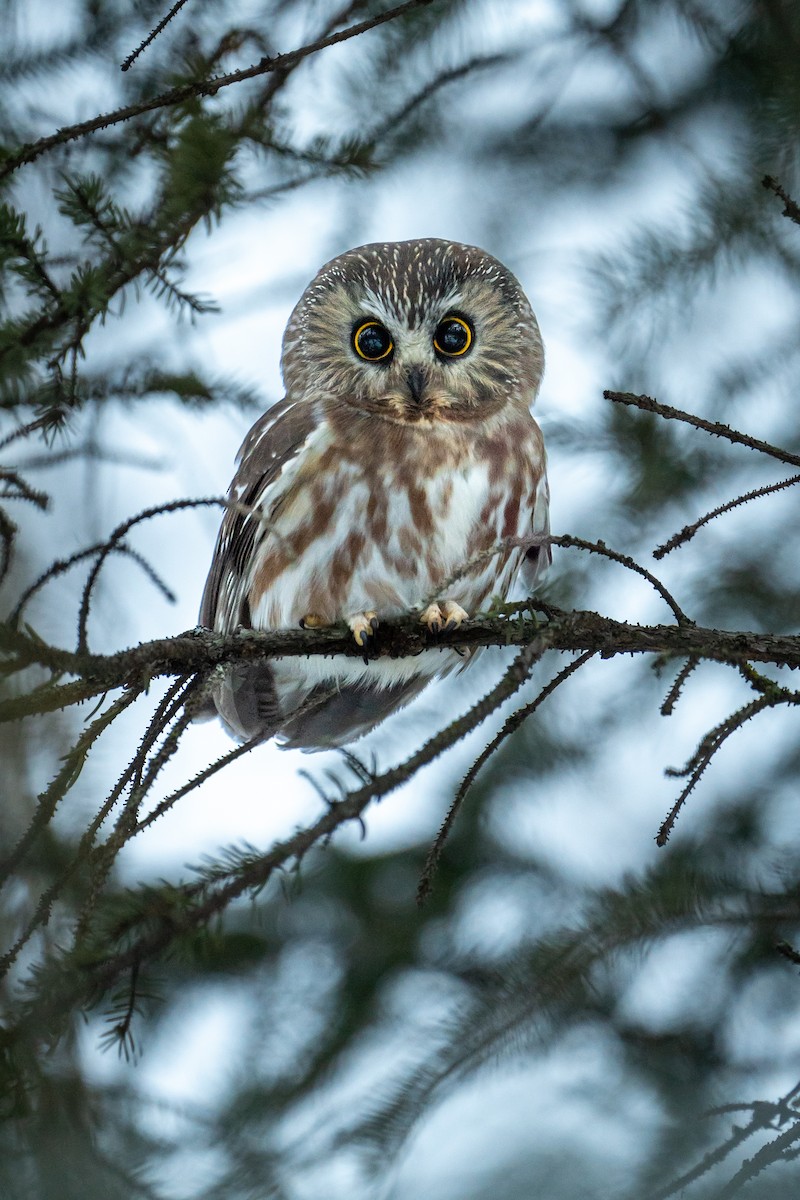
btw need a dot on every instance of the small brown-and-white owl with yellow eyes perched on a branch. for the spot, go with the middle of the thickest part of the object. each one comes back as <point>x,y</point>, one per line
<point>402,458</point>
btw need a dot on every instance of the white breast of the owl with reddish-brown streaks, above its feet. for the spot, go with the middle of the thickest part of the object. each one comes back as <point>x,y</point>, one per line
<point>392,527</point>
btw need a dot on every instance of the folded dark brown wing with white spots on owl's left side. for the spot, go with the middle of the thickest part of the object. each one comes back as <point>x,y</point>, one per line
<point>276,439</point>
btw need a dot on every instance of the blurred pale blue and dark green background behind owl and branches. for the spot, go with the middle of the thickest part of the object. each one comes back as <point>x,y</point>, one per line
<point>575,1013</point>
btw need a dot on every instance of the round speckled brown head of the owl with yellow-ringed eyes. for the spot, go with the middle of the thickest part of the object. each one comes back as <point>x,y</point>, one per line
<point>416,332</point>
